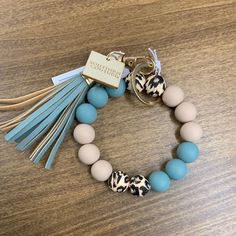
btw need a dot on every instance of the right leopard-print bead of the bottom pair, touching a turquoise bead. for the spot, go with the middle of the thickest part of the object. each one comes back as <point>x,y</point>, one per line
<point>139,185</point>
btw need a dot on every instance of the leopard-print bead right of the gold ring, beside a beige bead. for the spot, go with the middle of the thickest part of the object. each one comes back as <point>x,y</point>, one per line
<point>155,85</point>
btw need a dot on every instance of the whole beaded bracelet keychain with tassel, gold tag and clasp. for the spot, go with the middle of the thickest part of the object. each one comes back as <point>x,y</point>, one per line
<point>102,77</point>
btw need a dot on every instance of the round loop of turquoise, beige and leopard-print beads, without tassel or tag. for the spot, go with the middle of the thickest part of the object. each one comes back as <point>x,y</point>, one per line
<point>117,180</point>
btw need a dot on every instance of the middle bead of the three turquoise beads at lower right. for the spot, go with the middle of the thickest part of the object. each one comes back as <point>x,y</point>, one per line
<point>176,169</point>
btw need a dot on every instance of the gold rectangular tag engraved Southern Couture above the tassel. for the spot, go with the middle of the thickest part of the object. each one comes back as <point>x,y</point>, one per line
<point>102,70</point>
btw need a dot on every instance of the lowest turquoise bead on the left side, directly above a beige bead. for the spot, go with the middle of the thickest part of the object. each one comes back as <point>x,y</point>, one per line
<point>86,113</point>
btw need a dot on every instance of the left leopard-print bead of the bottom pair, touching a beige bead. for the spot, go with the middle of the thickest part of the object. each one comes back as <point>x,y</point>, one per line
<point>118,182</point>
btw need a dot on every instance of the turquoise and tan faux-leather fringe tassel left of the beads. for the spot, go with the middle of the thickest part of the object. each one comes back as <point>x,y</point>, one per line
<point>52,115</point>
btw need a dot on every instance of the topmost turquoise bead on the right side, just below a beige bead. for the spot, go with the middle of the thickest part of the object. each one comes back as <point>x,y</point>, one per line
<point>187,152</point>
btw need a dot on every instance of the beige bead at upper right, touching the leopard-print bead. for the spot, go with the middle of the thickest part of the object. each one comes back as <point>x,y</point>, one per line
<point>173,96</point>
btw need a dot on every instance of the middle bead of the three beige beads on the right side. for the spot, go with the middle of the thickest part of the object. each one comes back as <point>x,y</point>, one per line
<point>185,112</point>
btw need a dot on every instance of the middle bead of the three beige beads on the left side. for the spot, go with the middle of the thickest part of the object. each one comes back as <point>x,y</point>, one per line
<point>88,154</point>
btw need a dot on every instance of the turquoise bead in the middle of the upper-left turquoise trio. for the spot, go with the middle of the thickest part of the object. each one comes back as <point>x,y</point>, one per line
<point>97,96</point>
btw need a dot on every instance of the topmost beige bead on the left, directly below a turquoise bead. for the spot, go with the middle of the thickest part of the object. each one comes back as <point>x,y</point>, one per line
<point>84,133</point>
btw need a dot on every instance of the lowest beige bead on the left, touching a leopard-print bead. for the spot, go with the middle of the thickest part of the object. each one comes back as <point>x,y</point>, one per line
<point>101,170</point>
